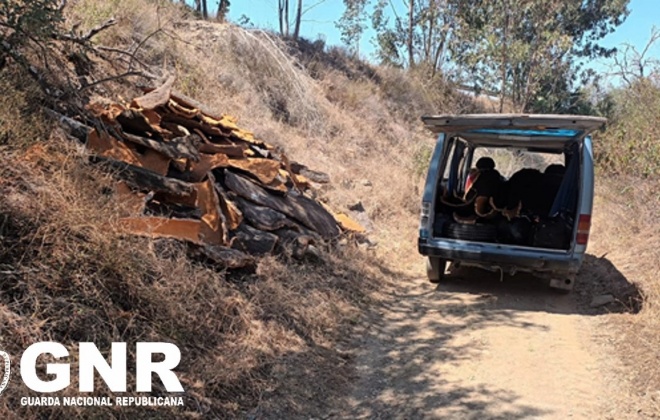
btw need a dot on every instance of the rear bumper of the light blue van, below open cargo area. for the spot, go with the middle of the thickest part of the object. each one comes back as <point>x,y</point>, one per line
<point>504,256</point>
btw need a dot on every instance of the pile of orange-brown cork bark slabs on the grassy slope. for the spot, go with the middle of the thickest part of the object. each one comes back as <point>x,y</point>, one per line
<point>186,173</point>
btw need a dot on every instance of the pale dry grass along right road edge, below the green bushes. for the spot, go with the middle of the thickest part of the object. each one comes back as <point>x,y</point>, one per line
<point>625,229</point>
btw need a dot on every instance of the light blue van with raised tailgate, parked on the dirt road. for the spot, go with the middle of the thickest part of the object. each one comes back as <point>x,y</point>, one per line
<point>509,193</point>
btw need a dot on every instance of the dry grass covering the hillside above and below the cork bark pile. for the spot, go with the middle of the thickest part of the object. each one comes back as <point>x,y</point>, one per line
<point>265,342</point>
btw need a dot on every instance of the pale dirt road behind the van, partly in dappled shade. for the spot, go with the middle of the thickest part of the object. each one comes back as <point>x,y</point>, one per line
<point>476,348</point>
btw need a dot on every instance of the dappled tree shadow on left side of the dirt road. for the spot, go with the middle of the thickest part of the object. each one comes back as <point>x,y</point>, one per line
<point>404,349</point>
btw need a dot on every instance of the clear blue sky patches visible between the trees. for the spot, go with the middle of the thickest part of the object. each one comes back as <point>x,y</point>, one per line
<point>319,23</point>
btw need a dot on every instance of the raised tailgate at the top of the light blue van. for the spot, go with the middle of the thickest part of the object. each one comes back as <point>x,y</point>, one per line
<point>527,125</point>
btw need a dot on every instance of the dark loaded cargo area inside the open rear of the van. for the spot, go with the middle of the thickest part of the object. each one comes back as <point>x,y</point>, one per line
<point>532,202</point>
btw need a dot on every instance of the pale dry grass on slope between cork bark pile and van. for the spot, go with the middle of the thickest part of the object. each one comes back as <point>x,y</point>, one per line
<point>323,108</point>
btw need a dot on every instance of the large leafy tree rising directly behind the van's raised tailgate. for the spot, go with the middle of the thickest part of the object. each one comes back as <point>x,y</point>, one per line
<point>528,50</point>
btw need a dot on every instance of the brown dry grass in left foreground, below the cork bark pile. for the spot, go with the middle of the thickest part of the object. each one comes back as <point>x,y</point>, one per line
<point>67,276</point>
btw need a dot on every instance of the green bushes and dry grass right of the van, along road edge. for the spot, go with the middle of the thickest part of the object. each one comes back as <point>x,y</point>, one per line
<point>628,157</point>
